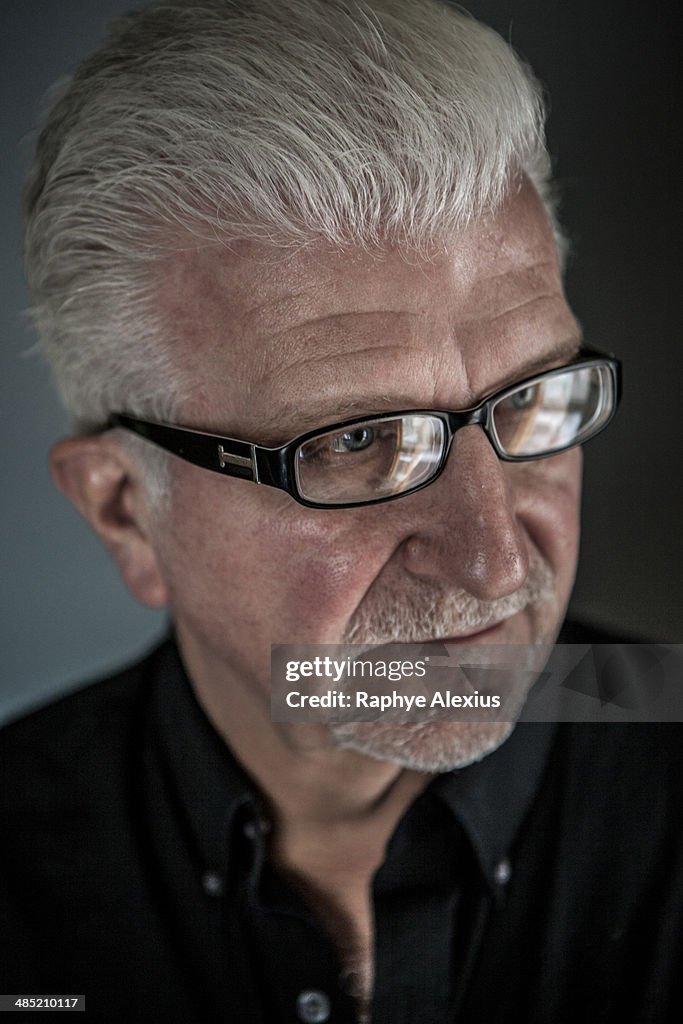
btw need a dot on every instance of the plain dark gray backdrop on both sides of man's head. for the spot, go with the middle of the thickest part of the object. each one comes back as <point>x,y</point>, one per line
<point>610,71</point>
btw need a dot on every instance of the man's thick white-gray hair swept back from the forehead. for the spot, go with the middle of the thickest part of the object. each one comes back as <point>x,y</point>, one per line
<point>361,123</point>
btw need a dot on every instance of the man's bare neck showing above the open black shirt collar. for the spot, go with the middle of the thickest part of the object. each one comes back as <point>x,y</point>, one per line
<point>333,810</point>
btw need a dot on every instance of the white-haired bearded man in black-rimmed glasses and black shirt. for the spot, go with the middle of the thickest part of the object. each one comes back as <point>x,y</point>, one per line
<point>277,249</point>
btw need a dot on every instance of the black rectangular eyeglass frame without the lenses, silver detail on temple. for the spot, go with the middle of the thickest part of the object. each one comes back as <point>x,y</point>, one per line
<point>276,467</point>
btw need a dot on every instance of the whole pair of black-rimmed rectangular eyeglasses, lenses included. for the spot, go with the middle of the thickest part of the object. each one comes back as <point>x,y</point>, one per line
<point>380,458</point>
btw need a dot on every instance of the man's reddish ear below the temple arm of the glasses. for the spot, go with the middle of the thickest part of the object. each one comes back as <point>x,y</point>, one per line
<point>104,483</point>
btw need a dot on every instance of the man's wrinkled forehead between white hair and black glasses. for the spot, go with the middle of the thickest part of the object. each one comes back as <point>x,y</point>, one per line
<point>276,344</point>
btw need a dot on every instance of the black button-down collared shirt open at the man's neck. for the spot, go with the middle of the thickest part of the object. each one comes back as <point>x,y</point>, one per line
<point>544,884</point>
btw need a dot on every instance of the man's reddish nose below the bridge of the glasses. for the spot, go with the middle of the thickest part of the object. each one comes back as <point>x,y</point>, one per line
<point>468,534</point>
